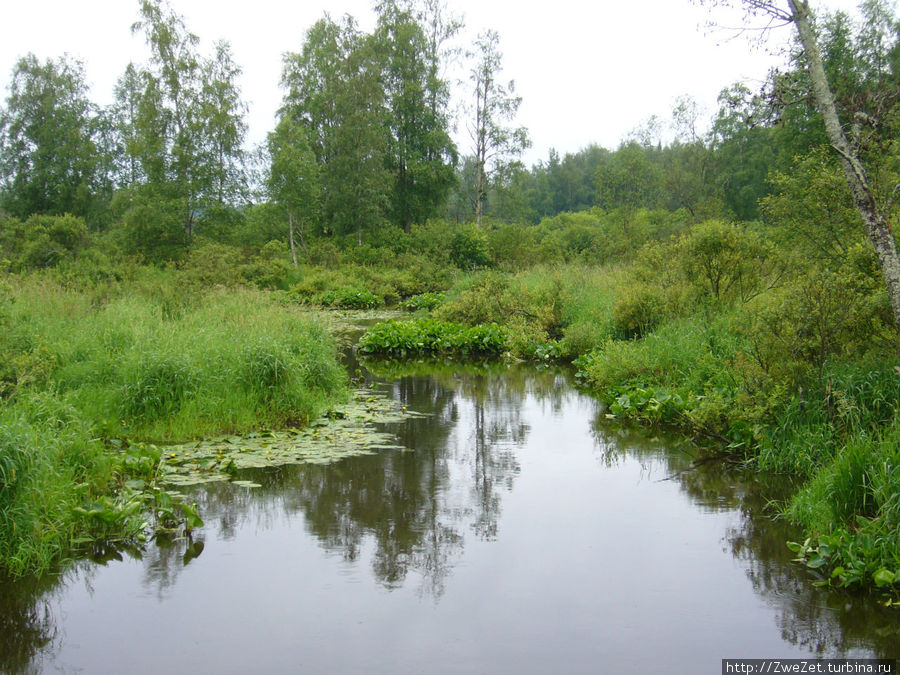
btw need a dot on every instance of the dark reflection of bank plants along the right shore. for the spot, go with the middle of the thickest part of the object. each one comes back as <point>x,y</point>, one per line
<point>826,622</point>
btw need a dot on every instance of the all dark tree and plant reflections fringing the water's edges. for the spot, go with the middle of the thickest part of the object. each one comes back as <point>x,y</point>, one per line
<point>410,515</point>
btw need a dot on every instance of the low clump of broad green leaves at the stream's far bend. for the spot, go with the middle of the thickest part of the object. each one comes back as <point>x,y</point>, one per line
<point>420,337</point>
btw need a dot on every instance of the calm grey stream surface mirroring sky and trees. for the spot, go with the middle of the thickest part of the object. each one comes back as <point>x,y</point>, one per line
<point>522,534</point>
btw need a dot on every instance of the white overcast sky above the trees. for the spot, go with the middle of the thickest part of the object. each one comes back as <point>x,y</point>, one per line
<point>588,71</point>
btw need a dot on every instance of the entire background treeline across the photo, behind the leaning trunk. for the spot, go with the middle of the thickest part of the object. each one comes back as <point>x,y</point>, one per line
<point>363,142</point>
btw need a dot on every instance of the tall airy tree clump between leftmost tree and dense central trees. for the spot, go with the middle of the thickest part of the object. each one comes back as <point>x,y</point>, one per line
<point>181,119</point>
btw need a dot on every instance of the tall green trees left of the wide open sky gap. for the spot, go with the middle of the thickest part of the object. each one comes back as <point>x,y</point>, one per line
<point>362,140</point>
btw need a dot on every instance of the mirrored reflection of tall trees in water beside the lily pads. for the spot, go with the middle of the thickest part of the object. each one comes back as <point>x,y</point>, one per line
<point>413,506</point>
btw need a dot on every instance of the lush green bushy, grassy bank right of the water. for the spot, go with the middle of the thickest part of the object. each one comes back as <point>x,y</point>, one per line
<point>792,369</point>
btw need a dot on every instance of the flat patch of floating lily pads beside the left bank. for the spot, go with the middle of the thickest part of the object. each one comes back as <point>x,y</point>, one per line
<point>347,431</point>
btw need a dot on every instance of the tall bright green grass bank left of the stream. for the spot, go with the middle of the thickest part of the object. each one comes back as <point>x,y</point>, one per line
<point>91,376</point>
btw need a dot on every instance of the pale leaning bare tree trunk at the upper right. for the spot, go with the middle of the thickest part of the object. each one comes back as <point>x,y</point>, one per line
<point>878,229</point>
